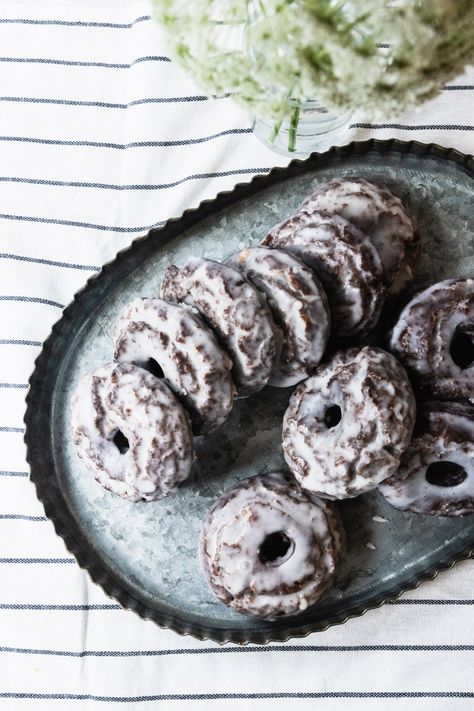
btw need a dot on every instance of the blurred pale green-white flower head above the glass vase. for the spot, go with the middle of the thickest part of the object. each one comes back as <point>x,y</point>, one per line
<point>377,55</point>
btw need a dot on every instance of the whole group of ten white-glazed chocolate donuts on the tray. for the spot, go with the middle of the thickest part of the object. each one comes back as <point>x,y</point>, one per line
<point>293,311</point>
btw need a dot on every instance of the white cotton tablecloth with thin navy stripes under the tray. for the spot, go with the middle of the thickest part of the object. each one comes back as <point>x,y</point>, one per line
<point>102,137</point>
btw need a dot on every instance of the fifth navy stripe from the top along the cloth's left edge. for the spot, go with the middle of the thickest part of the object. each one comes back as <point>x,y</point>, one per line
<point>131,186</point>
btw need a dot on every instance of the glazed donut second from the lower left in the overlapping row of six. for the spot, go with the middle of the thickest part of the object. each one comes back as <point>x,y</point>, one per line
<point>176,345</point>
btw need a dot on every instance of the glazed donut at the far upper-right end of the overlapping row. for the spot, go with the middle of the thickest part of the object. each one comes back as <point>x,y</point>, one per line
<point>375,210</point>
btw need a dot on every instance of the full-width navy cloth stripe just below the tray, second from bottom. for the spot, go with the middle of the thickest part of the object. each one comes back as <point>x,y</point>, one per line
<point>198,651</point>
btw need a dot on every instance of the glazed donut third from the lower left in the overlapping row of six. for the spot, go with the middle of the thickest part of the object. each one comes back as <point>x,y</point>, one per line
<point>237,313</point>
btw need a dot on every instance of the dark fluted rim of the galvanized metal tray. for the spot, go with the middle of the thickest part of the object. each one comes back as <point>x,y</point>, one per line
<point>47,487</point>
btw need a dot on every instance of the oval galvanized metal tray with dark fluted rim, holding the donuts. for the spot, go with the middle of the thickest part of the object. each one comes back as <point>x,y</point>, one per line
<point>145,555</point>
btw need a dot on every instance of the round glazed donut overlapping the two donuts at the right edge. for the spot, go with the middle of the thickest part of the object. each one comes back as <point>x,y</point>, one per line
<point>347,426</point>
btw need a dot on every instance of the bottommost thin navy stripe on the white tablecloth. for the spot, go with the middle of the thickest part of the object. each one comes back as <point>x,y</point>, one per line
<point>243,696</point>
